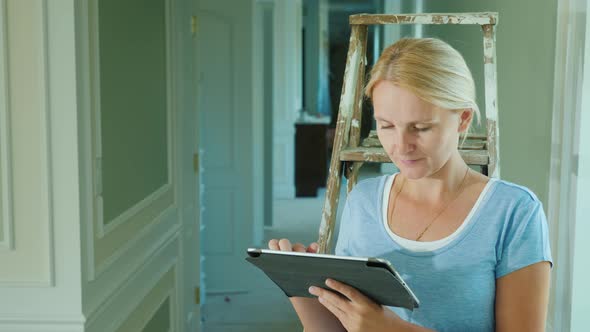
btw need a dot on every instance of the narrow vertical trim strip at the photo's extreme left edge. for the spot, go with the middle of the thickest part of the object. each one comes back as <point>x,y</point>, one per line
<point>6,218</point>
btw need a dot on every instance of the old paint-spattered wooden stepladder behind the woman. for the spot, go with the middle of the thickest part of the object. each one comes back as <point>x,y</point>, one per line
<point>349,153</point>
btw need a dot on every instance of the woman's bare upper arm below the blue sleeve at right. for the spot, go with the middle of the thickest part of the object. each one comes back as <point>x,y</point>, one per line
<point>521,299</point>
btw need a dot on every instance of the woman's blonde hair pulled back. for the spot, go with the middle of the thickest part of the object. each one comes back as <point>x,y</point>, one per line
<point>431,69</point>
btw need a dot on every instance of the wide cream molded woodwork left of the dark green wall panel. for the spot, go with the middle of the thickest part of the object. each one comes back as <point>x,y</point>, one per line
<point>46,296</point>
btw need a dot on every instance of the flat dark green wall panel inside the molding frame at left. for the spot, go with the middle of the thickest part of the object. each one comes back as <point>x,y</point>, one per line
<point>133,101</point>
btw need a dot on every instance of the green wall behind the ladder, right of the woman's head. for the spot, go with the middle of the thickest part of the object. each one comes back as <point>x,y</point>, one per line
<point>525,52</point>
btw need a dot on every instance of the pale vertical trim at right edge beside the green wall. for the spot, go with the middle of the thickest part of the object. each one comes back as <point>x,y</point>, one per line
<point>567,94</point>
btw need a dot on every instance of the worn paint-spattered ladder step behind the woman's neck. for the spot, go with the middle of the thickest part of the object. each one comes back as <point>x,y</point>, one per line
<point>378,155</point>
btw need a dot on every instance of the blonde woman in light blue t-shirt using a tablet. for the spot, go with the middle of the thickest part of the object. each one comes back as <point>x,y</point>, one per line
<point>474,250</point>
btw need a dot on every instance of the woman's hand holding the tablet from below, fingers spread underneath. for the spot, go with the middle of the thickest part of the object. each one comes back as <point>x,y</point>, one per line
<point>355,311</point>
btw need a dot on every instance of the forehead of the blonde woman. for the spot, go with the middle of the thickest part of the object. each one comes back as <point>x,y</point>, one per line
<point>394,103</point>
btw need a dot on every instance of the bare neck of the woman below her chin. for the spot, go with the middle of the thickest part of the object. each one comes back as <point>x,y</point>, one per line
<point>440,185</point>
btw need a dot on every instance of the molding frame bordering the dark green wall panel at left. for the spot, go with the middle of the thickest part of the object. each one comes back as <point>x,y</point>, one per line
<point>91,96</point>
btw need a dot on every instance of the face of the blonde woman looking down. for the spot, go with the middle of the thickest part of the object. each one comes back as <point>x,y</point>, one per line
<point>418,136</point>
